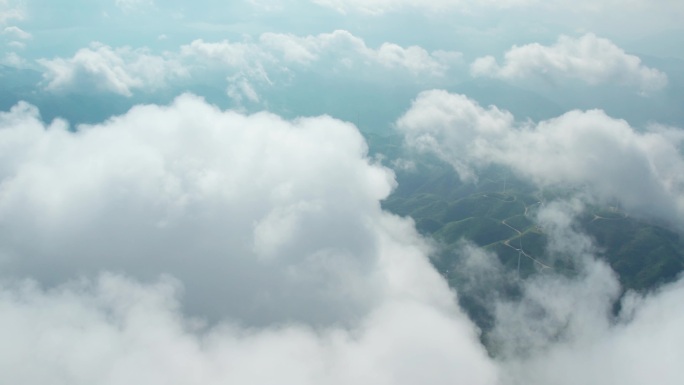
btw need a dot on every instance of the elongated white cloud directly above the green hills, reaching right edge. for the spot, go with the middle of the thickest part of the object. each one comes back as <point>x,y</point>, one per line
<point>588,150</point>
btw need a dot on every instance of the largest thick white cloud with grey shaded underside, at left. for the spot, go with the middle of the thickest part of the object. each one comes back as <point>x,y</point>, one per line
<point>243,209</point>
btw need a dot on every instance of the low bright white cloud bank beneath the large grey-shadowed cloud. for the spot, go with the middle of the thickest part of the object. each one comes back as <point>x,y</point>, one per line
<point>116,331</point>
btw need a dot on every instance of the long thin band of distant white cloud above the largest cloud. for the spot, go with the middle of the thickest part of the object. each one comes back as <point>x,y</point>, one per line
<point>249,66</point>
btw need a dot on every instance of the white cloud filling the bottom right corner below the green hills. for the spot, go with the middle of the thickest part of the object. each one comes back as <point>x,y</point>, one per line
<point>627,352</point>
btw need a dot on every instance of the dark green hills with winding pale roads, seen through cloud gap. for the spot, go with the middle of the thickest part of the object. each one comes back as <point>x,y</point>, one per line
<point>497,212</point>
